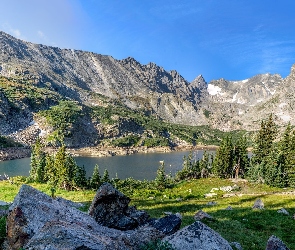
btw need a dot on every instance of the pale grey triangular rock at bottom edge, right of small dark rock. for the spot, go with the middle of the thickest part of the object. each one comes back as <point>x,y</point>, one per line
<point>197,236</point>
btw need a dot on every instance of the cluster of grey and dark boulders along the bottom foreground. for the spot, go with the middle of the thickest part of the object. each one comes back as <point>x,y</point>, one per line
<point>38,221</point>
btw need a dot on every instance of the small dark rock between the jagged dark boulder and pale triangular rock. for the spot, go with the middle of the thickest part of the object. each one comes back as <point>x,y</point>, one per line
<point>167,225</point>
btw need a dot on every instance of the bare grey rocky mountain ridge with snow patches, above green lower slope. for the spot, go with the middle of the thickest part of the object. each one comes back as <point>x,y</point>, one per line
<point>35,77</point>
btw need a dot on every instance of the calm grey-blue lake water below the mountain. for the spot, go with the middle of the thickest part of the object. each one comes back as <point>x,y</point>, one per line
<point>138,166</point>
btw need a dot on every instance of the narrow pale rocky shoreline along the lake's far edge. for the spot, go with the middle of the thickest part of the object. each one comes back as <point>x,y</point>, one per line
<point>99,151</point>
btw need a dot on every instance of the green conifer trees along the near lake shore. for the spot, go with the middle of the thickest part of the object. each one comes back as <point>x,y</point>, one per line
<point>273,163</point>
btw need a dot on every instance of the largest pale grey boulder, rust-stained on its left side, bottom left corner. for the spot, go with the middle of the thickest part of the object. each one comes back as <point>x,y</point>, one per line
<point>35,219</point>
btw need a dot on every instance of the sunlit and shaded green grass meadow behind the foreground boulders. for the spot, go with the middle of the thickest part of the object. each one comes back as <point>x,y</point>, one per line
<point>251,228</point>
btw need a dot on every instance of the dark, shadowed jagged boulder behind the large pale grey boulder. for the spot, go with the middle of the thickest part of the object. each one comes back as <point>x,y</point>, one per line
<point>110,208</point>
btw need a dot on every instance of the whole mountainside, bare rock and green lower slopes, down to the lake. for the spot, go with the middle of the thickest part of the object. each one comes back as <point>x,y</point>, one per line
<point>118,98</point>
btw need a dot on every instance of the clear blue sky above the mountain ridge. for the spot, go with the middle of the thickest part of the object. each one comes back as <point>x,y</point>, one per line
<point>231,39</point>
